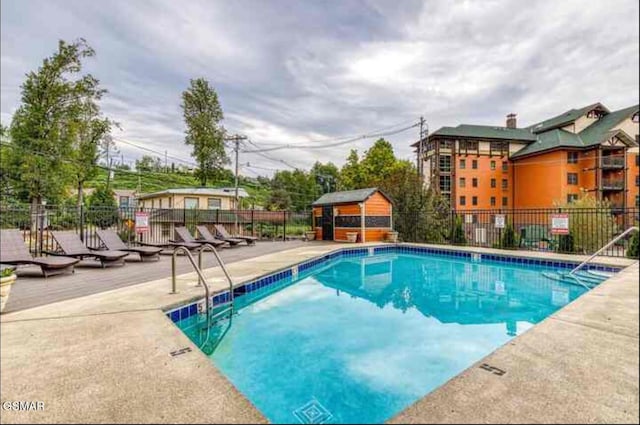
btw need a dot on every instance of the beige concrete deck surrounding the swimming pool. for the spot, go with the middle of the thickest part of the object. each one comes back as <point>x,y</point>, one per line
<point>107,358</point>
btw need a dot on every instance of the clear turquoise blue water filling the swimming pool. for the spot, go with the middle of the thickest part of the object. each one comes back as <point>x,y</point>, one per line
<point>357,340</point>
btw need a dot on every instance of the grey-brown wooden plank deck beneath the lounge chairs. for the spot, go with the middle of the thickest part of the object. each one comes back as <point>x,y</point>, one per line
<point>32,290</point>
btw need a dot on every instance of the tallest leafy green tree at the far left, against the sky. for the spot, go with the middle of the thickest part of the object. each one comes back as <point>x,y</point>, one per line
<point>41,137</point>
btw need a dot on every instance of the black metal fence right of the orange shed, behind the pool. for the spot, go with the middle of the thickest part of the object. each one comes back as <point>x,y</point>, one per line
<point>587,229</point>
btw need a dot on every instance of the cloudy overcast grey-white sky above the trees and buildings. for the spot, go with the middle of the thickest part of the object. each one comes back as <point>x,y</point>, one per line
<point>291,72</point>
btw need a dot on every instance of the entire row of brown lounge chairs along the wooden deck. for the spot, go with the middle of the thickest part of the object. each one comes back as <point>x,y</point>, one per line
<point>72,250</point>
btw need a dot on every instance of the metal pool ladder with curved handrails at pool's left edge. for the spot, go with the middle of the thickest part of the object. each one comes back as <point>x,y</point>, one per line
<point>202,281</point>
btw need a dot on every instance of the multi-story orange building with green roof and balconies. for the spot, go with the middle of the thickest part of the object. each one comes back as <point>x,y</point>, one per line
<point>590,150</point>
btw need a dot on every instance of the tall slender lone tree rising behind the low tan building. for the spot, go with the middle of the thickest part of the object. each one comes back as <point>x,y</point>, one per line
<point>202,115</point>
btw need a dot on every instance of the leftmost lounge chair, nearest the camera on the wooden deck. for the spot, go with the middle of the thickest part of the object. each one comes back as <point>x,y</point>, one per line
<point>13,251</point>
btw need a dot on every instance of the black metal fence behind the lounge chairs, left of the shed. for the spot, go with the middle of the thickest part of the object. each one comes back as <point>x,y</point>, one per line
<point>37,222</point>
